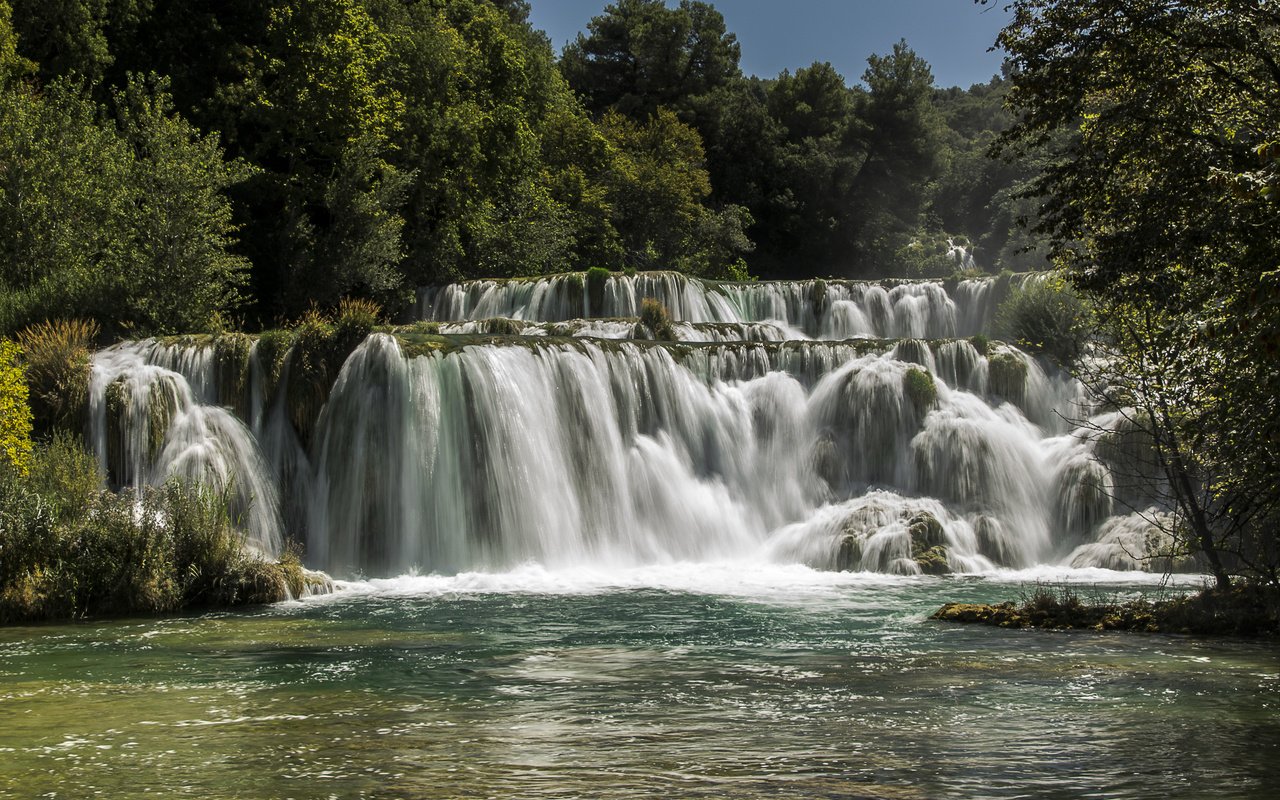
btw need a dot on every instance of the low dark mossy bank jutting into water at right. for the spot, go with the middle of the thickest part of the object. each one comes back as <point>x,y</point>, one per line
<point>1245,610</point>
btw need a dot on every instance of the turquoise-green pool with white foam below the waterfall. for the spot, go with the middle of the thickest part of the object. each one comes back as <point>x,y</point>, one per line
<point>669,683</point>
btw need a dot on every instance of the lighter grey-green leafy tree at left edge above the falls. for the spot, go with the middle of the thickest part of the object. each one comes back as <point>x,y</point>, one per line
<point>124,220</point>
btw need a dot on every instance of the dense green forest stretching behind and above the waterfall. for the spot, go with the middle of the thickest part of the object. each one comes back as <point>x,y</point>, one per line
<point>172,164</point>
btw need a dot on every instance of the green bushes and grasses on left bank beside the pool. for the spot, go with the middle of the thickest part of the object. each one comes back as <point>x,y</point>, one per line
<point>74,550</point>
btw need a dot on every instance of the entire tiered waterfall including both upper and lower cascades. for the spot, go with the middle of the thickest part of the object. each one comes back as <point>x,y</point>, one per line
<point>564,442</point>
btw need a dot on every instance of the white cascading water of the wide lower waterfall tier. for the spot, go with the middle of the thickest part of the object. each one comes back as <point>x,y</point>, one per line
<point>625,456</point>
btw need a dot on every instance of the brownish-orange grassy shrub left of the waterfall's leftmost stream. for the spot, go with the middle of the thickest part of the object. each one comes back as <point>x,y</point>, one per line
<point>57,355</point>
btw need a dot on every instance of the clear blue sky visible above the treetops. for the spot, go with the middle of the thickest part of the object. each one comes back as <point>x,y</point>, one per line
<point>952,35</point>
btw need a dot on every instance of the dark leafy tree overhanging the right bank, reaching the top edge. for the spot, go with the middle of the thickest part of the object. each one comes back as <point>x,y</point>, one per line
<point>1160,204</point>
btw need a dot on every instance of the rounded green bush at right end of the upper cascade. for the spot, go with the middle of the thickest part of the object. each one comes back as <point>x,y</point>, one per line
<point>1046,316</point>
